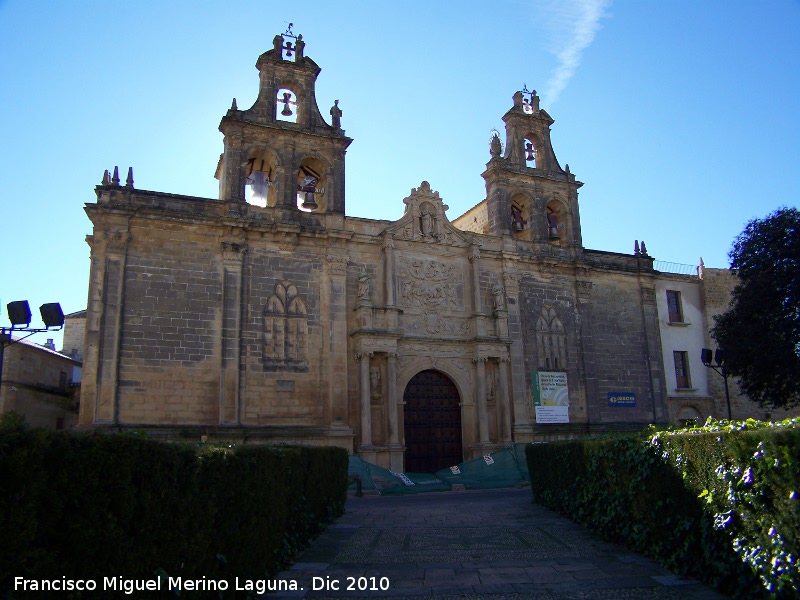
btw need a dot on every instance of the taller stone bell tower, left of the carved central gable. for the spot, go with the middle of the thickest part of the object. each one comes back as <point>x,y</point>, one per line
<point>281,152</point>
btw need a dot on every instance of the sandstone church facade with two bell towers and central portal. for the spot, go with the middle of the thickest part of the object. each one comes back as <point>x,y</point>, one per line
<point>269,315</point>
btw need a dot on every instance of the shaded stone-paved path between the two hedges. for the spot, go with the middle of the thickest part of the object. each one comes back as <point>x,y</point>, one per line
<point>476,544</point>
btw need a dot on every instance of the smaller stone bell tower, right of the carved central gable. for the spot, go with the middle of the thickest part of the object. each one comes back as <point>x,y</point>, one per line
<point>528,194</point>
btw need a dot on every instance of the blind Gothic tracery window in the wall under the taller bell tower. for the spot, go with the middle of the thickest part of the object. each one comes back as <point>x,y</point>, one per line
<point>285,330</point>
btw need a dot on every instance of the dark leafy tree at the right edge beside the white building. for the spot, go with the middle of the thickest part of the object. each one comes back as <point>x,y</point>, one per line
<point>760,334</point>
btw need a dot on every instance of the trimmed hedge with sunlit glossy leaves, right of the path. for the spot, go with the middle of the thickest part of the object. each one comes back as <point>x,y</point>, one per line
<point>718,503</point>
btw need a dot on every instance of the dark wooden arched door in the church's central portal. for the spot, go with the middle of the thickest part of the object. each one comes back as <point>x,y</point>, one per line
<point>432,423</point>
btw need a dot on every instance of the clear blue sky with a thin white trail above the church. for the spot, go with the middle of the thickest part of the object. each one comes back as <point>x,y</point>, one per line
<point>680,117</point>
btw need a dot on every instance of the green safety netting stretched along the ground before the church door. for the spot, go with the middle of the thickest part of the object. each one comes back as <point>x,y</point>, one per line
<point>500,469</point>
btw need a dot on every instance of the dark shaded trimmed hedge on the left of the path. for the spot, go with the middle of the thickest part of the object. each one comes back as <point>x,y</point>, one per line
<point>92,505</point>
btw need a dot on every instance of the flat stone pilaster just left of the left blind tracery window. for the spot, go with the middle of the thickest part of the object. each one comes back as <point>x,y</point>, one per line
<point>232,258</point>
